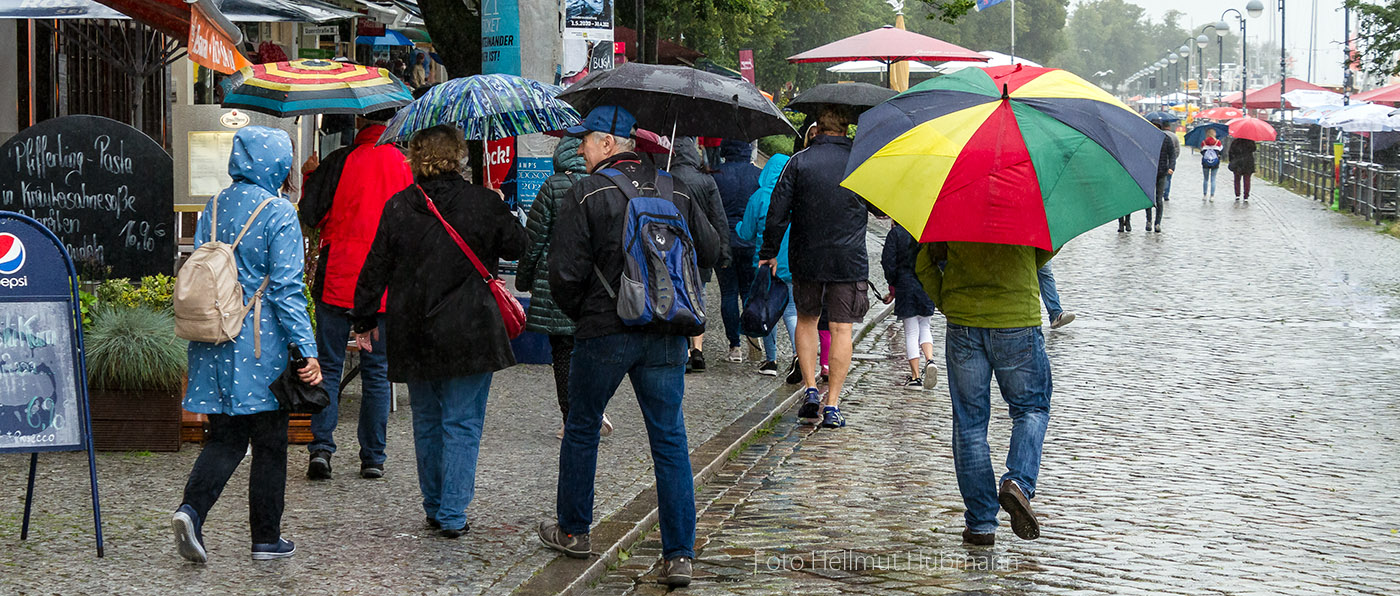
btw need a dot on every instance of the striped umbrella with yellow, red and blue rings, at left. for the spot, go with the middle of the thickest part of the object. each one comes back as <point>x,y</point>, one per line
<point>300,87</point>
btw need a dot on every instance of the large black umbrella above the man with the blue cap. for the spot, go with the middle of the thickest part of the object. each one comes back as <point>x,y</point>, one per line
<point>681,100</point>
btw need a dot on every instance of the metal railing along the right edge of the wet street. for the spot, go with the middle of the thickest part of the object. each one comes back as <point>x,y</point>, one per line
<point>1368,190</point>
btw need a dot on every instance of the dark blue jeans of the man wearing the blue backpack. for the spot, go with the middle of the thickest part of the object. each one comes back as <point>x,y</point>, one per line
<point>657,367</point>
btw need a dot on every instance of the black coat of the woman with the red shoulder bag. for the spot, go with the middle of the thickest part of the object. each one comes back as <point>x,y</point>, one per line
<point>443,321</point>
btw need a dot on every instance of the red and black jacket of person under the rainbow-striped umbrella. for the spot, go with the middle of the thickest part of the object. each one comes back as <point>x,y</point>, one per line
<point>345,198</point>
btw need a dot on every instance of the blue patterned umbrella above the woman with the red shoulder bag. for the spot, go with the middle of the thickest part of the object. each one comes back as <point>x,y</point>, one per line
<point>486,107</point>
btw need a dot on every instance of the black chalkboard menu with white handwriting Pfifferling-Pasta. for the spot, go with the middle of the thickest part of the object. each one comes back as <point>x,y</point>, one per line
<point>104,188</point>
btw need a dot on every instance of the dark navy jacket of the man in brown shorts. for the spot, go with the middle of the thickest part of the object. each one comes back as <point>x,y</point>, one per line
<point>828,241</point>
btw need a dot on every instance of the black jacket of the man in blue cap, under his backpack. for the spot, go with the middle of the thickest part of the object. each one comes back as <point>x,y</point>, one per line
<point>589,234</point>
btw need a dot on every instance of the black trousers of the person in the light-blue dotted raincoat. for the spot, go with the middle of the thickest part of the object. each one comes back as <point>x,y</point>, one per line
<point>229,439</point>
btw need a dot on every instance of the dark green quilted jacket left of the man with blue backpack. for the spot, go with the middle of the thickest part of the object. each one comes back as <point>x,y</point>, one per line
<point>544,315</point>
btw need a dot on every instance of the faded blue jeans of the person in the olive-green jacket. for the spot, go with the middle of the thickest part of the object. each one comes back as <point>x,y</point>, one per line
<point>1018,359</point>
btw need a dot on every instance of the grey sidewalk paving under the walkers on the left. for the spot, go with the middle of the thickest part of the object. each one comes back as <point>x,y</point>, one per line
<point>353,537</point>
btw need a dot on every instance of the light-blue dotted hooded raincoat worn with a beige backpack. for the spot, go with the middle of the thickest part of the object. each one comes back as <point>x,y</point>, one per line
<point>227,378</point>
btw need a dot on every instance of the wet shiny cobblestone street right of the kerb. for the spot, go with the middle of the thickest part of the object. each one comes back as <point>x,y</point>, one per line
<point>1224,422</point>
